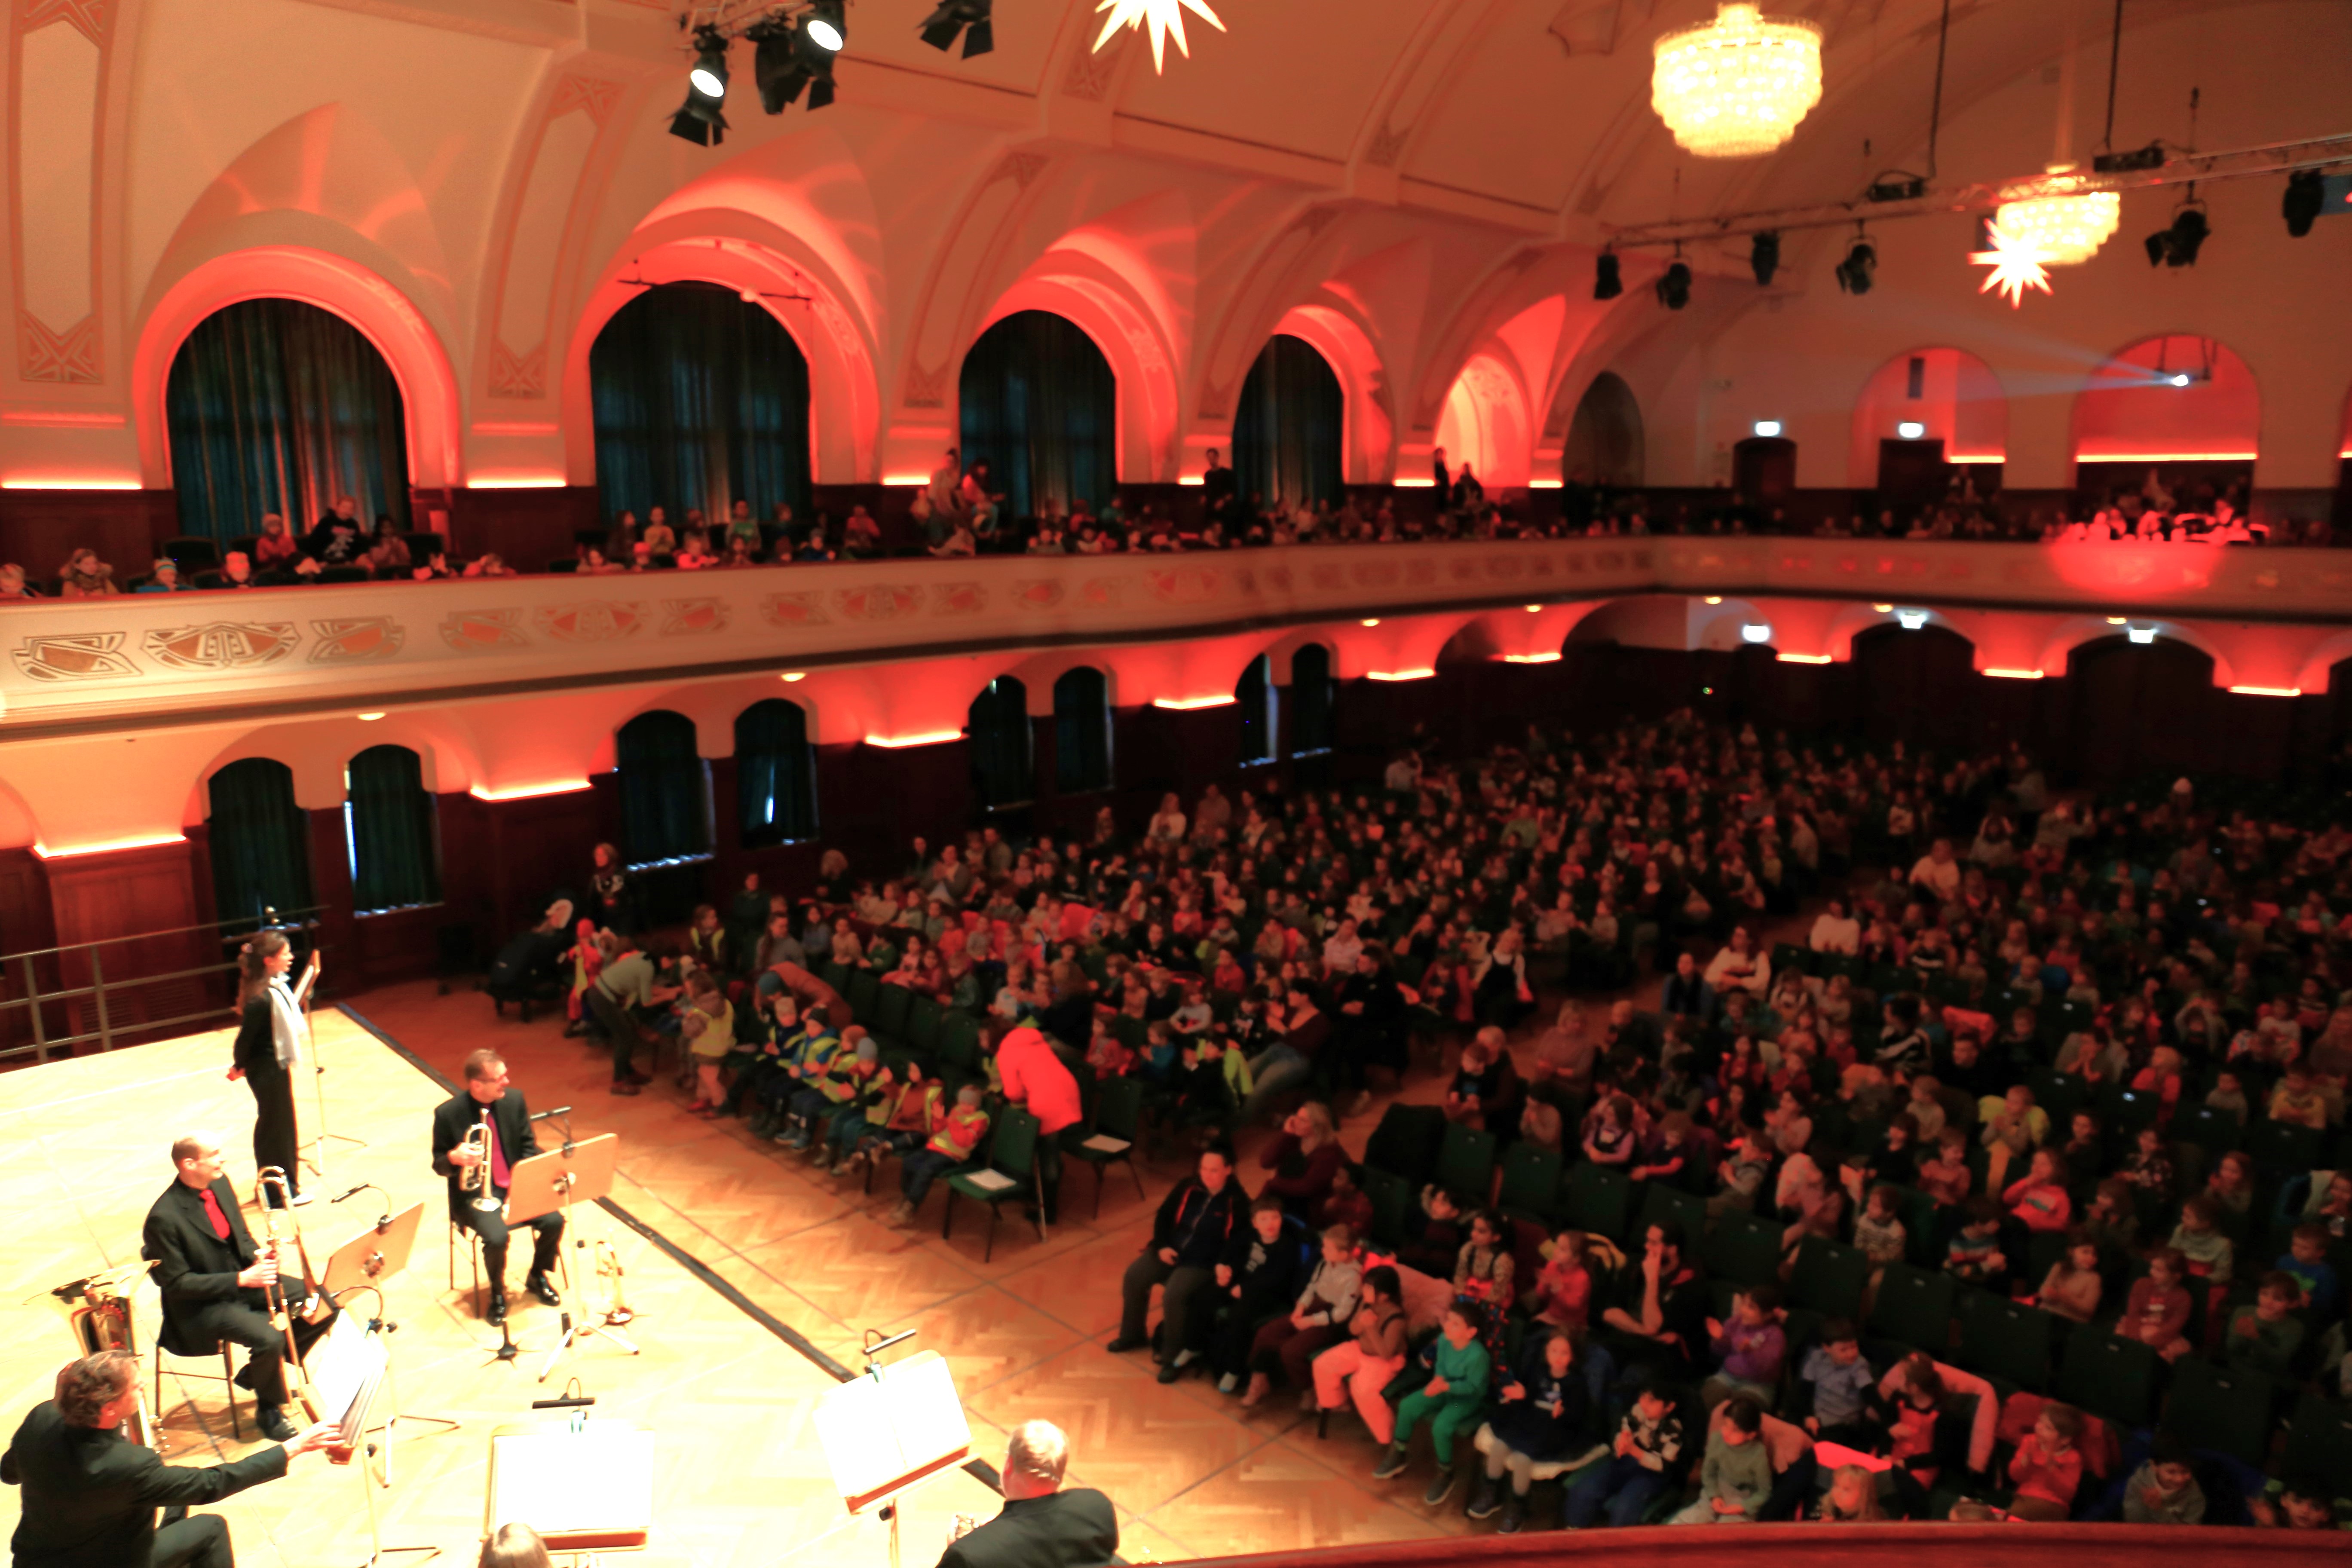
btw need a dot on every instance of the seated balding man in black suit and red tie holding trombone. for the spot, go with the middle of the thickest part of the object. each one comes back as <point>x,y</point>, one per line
<point>215,1282</point>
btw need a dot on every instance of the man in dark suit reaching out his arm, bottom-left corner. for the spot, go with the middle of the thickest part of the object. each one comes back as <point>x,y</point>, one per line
<point>91,1496</point>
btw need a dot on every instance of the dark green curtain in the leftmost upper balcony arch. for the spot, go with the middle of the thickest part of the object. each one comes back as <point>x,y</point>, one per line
<point>281,408</point>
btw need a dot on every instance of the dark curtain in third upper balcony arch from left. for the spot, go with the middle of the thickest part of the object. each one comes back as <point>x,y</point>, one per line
<point>1043,408</point>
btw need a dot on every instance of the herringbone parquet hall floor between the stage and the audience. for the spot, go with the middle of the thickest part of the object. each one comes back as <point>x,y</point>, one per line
<point>1191,1473</point>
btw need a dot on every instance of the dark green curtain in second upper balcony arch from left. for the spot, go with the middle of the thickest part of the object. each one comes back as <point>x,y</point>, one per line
<point>700,401</point>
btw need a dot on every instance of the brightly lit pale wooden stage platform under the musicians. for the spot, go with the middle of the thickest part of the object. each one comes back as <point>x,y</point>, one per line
<point>740,1475</point>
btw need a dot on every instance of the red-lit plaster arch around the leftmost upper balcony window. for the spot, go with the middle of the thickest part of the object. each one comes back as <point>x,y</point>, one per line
<point>335,283</point>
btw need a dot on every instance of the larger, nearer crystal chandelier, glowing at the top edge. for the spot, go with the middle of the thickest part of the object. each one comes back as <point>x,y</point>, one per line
<point>1737,86</point>
